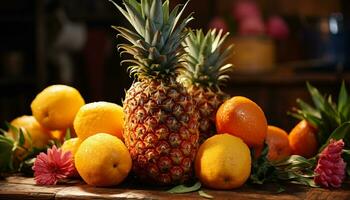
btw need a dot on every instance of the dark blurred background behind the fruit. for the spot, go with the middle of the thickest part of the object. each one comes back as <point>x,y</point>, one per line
<point>279,45</point>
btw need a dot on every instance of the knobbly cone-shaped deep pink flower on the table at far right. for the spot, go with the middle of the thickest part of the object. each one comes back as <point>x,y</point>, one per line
<point>330,169</point>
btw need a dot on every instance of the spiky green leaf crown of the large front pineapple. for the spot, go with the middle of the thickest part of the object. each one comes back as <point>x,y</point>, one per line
<point>156,38</point>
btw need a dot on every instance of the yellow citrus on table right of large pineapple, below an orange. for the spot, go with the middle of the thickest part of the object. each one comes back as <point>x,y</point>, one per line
<point>223,162</point>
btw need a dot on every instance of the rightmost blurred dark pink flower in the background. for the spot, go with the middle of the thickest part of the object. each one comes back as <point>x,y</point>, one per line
<point>277,28</point>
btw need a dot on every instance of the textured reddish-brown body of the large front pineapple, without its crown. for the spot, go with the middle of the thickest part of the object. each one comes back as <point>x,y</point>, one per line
<point>161,131</point>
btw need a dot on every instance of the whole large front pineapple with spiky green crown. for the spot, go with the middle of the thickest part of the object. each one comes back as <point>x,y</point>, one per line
<point>161,122</point>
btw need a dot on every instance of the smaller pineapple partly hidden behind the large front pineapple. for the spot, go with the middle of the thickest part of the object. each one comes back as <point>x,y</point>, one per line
<point>204,73</point>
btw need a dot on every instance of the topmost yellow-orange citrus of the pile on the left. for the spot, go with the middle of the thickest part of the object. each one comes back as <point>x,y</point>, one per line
<point>56,106</point>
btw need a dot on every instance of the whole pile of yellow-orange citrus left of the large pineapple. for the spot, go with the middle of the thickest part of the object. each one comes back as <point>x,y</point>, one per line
<point>100,156</point>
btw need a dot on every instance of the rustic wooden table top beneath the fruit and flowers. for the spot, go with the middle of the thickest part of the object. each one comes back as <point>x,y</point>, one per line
<point>24,188</point>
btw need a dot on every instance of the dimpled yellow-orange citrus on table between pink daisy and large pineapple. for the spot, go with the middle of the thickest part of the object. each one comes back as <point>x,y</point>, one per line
<point>103,160</point>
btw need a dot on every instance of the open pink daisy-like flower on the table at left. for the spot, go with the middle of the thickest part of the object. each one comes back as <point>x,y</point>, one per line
<point>51,167</point>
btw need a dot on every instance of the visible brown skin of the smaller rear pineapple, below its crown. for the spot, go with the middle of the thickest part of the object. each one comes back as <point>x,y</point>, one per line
<point>207,103</point>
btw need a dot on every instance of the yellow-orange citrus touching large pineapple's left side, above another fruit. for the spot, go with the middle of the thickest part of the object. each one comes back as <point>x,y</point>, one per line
<point>99,117</point>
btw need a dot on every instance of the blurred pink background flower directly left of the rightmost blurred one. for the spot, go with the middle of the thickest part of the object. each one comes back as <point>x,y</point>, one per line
<point>251,26</point>
